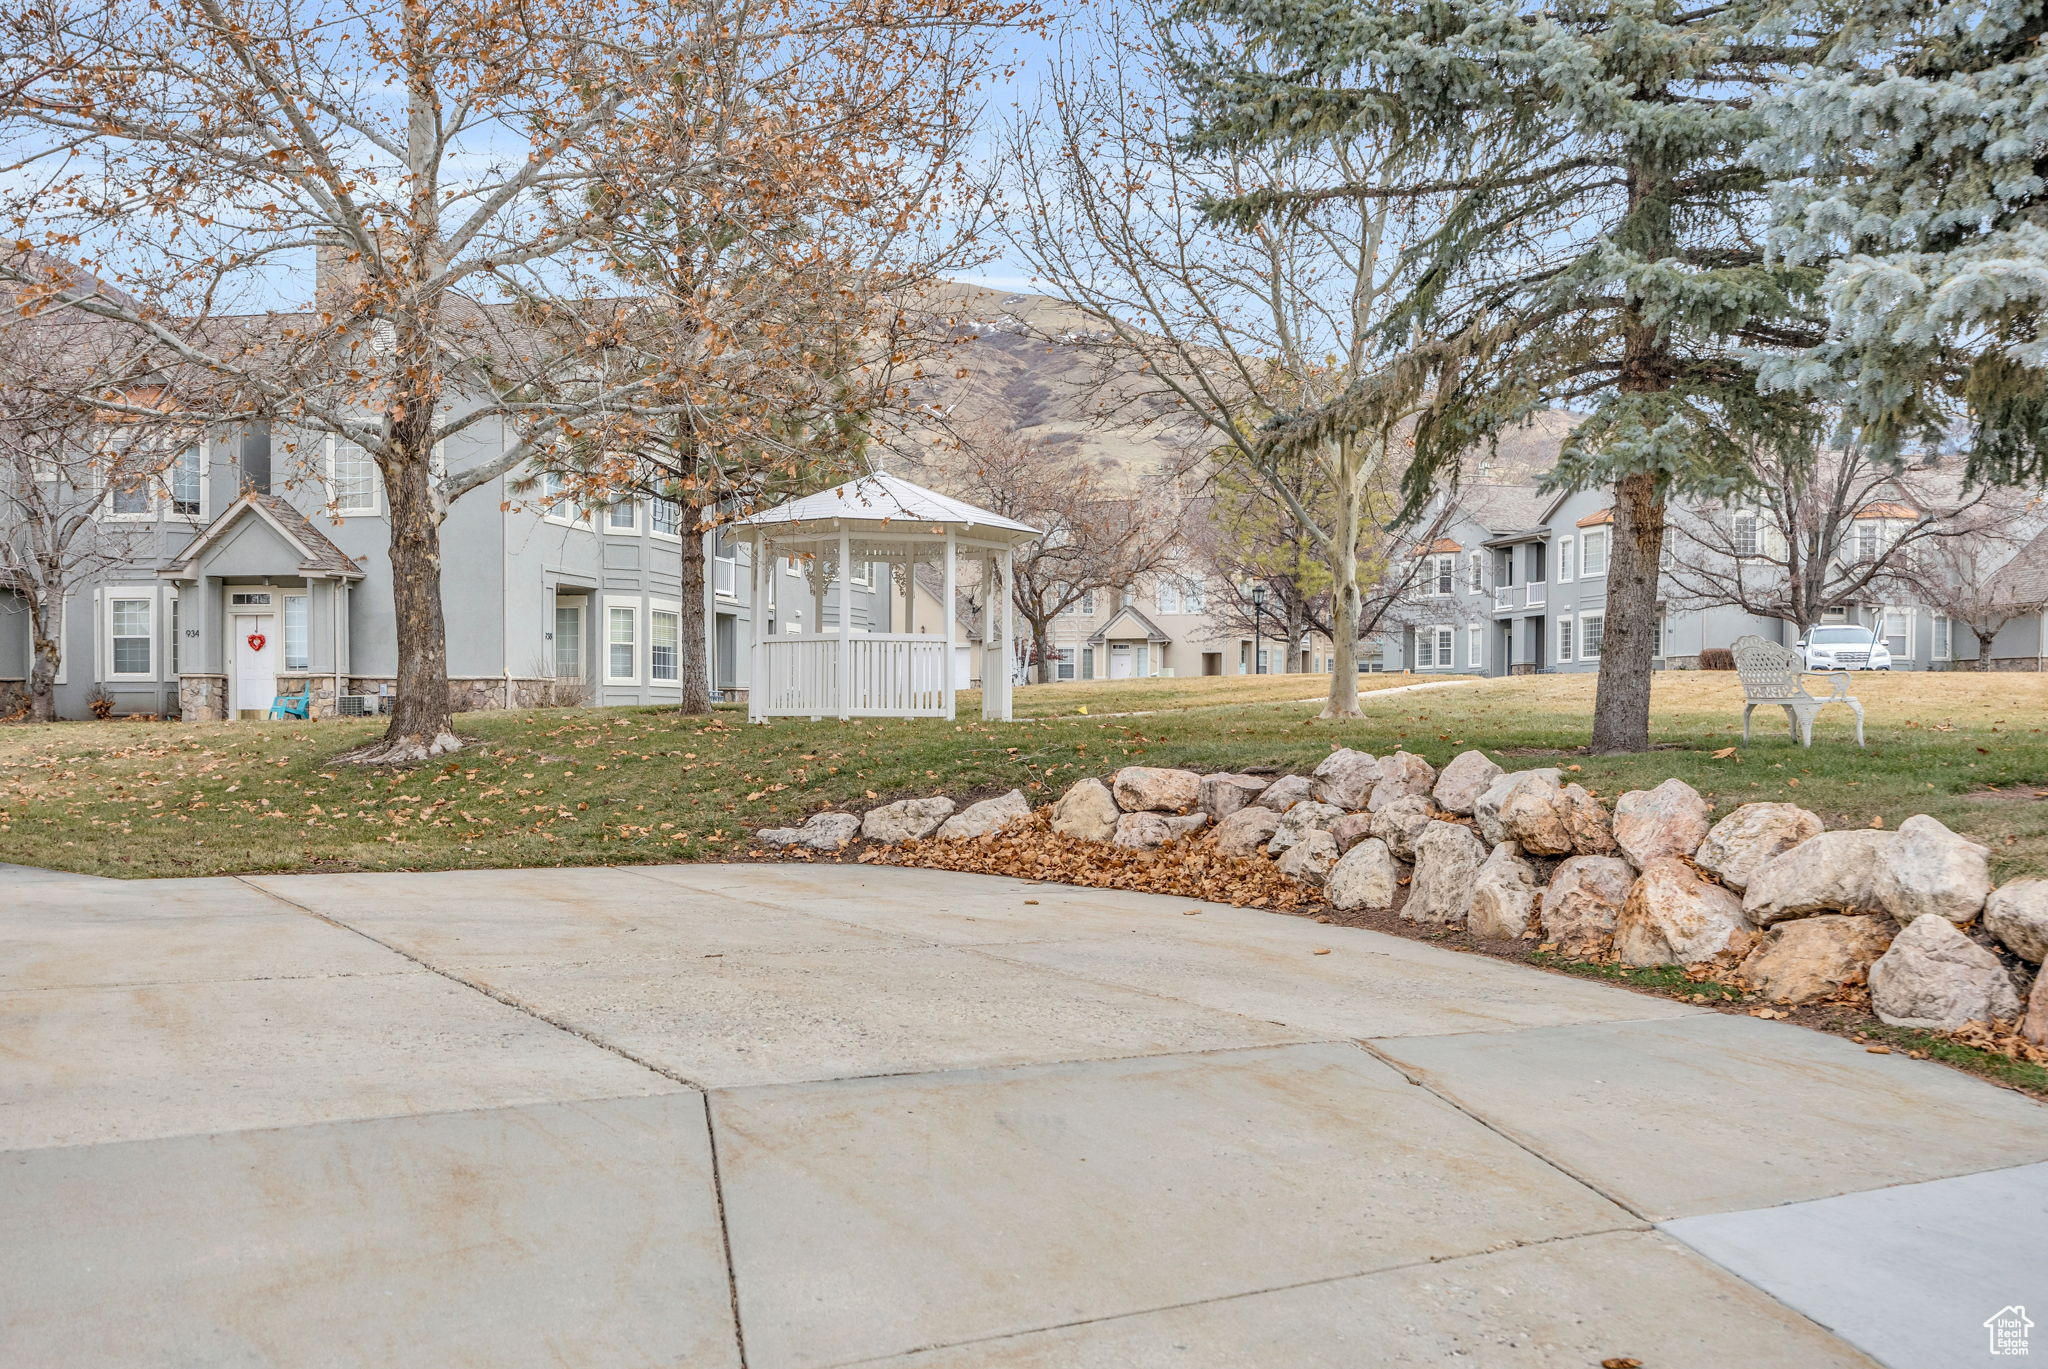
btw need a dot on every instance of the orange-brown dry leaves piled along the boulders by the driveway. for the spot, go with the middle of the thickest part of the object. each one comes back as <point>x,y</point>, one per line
<point>1029,849</point>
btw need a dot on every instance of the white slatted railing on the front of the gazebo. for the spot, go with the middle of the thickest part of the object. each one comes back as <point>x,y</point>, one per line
<point>894,675</point>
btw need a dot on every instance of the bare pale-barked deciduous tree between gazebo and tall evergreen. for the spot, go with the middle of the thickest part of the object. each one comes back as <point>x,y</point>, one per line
<point>1222,325</point>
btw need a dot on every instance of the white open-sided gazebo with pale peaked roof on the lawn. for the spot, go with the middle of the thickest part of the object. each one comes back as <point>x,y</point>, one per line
<point>818,556</point>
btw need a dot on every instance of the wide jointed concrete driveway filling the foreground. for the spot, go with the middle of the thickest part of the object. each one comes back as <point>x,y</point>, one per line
<point>845,1116</point>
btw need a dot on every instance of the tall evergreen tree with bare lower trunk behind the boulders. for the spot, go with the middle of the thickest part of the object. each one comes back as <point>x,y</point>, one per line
<point>1601,251</point>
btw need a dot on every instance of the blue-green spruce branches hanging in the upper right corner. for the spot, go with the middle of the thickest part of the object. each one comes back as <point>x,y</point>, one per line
<point>1914,163</point>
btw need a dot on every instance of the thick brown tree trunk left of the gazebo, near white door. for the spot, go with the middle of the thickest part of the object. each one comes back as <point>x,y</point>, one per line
<point>423,718</point>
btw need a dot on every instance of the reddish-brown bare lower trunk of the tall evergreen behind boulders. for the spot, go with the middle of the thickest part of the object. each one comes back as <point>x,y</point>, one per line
<point>1629,645</point>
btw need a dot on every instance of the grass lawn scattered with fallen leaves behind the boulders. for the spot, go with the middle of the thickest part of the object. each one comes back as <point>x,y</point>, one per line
<point>617,786</point>
